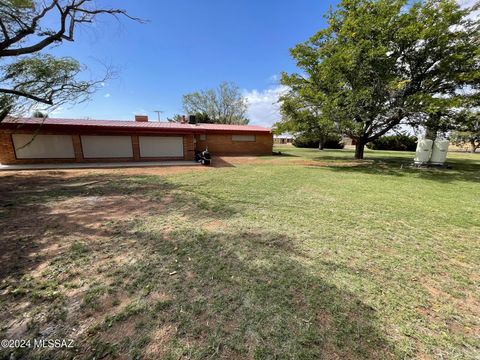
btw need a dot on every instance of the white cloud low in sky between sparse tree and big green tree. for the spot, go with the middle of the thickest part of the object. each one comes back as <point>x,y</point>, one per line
<point>263,106</point>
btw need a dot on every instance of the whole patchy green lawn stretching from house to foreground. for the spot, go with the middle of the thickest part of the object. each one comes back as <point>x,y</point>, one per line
<point>307,255</point>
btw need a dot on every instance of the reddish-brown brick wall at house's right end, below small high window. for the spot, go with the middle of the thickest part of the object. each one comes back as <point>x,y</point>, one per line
<point>222,144</point>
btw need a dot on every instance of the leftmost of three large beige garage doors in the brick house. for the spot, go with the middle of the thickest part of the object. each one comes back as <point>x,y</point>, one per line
<point>43,146</point>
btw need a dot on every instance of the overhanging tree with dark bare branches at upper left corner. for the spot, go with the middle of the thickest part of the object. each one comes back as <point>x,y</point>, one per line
<point>28,77</point>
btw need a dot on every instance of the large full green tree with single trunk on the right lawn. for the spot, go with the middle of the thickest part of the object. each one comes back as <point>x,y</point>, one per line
<point>380,64</point>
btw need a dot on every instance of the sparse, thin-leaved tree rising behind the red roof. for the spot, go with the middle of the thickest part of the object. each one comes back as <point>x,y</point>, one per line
<point>223,105</point>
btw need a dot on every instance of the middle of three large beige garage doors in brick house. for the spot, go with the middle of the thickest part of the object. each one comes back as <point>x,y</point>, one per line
<point>95,146</point>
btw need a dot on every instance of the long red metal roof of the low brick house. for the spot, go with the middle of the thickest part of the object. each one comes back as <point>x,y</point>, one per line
<point>122,125</point>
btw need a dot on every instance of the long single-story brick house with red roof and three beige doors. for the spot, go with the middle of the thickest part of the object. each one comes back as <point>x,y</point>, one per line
<point>38,140</point>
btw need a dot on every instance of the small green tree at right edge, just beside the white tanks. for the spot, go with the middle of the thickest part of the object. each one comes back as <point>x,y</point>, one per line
<point>468,130</point>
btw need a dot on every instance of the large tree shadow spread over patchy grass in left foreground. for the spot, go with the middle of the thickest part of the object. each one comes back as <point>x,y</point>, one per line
<point>164,284</point>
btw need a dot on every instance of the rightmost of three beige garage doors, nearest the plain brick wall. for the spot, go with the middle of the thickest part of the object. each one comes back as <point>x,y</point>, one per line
<point>161,146</point>
